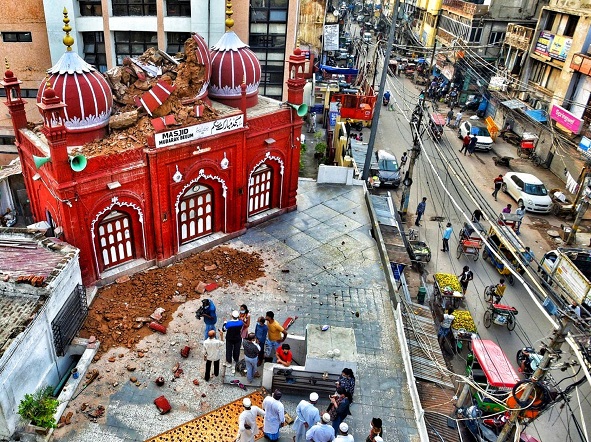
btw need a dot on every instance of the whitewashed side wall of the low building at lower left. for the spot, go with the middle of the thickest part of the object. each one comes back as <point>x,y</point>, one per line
<point>30,361</point>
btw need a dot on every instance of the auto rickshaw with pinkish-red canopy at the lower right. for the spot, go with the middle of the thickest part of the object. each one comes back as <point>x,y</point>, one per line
<point>490,368</point>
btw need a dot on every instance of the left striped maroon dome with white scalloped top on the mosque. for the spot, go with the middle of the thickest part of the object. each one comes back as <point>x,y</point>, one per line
<point>85,91</point>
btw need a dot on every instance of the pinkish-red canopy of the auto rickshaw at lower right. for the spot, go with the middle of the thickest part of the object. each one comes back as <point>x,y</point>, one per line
<point>498,370</point>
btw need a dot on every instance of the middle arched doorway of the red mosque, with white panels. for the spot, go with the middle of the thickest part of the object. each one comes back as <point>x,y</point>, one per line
<point>195,215</point>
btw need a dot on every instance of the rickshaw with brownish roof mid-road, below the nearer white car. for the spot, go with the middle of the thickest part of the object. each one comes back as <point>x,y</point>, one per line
<point>506,243</point>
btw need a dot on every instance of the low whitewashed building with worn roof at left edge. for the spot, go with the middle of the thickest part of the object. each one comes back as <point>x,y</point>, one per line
<point>43,304</point>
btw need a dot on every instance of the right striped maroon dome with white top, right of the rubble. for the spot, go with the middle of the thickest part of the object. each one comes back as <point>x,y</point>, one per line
<point>232,63</point>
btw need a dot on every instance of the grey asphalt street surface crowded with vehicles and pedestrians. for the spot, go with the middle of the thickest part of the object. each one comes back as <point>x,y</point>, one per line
<point>468,179</point>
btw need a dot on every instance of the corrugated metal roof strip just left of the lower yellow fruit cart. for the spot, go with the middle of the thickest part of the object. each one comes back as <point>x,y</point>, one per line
<point>421,334</point>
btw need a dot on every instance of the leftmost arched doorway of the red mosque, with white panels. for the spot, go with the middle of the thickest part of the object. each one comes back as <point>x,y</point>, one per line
<point>115,239</point>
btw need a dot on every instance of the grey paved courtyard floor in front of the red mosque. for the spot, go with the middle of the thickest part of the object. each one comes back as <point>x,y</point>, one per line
<point>323,266</point>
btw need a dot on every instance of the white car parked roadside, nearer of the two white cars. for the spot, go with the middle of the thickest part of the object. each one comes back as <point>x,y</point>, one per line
<point>528,190</point>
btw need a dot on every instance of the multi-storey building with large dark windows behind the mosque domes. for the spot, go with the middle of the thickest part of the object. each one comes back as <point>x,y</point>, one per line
<point>108,31</point>
